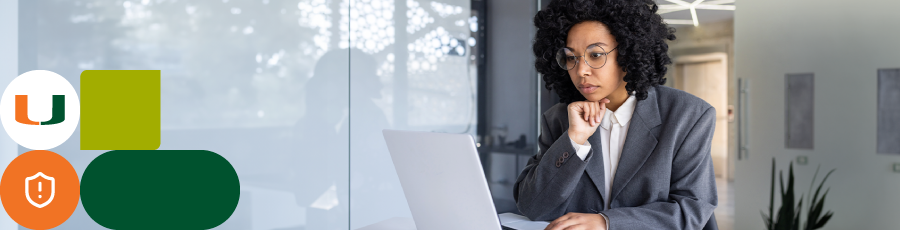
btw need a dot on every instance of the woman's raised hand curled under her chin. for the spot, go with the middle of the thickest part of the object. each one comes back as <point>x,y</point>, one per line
<point>584,116</point>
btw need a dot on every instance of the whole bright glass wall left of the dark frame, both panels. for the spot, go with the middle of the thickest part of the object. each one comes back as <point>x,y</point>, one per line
<point>293,93</point>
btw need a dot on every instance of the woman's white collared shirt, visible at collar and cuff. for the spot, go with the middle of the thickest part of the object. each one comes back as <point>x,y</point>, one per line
<point>614,130</point>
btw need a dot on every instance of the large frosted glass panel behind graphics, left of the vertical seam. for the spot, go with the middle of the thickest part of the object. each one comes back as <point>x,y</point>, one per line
<point>263,83</point>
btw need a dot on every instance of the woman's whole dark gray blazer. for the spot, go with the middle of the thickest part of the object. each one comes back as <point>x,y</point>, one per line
<point>665,176</point>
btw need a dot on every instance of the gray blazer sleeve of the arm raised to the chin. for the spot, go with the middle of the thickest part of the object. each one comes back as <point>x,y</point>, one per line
<point>550,176</point>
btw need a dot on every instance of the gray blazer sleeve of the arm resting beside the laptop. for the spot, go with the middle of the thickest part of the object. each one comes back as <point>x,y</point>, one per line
<point>692,194</point>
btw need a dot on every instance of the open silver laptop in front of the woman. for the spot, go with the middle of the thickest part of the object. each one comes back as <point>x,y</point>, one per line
<point>444,183</point>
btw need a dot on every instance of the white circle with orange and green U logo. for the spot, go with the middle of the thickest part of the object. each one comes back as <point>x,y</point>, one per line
<point>39,110</point>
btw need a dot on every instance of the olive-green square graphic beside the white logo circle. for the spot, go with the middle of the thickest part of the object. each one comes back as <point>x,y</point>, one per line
<point>120,109</point>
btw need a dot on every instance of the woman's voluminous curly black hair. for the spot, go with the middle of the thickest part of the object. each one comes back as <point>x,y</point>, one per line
<point>639,30</point>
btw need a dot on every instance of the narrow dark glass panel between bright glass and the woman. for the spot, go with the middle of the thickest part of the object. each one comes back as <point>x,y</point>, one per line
<point>511,106</point>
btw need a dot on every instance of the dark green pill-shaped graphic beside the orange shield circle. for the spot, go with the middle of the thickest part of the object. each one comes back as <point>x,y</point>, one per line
<point>160,189</point>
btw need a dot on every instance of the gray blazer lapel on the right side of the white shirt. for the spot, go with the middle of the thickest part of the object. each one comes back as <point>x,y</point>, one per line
<point>639,142</point>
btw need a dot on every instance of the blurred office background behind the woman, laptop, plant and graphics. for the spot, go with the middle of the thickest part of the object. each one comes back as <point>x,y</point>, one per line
<point>295,93</point>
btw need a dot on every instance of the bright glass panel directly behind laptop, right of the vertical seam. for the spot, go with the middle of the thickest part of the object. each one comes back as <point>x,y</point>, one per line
<point>413,68</point>
